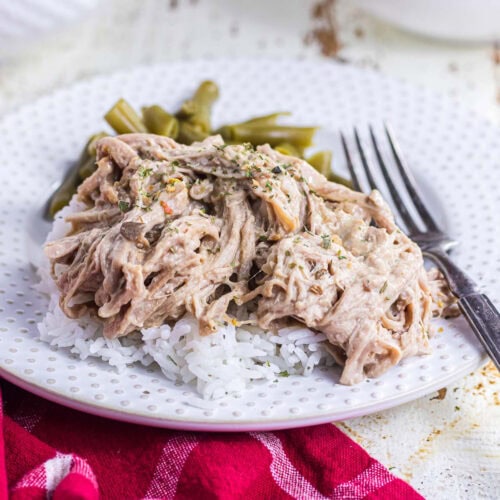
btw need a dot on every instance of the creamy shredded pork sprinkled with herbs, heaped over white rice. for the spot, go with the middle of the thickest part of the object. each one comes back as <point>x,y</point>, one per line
<point>233,233</point>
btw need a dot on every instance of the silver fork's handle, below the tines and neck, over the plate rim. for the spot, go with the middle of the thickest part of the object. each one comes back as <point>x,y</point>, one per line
<point>477,308</point>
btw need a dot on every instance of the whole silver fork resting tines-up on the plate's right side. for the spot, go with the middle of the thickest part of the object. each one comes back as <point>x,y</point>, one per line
<point>477,308</point>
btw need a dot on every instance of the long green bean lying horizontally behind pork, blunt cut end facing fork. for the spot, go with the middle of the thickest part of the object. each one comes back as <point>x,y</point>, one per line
<point>300,137</point>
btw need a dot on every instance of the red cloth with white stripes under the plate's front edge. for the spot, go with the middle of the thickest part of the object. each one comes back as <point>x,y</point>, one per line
<point>48,450</point>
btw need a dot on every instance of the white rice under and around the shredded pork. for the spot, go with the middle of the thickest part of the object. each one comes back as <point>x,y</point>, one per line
<point>220,364</point>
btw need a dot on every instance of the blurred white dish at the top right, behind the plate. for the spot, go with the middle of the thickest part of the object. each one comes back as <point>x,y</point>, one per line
<point>464,20</point>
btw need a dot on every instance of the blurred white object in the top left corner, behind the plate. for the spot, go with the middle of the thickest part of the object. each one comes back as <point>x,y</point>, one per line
<point>23,21</point>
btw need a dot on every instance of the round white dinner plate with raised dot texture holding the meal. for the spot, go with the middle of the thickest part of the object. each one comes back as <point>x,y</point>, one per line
<point>454,154</point>
